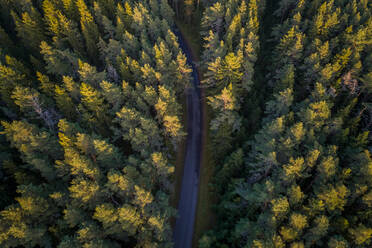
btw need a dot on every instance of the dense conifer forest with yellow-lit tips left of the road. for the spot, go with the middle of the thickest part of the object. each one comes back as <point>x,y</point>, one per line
<point>90,117</point>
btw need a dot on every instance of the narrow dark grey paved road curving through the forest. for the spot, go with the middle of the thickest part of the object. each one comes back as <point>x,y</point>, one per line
<point>184,228</point>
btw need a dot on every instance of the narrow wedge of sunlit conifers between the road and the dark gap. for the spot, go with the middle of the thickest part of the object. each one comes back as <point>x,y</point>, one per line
<point>230,31</point>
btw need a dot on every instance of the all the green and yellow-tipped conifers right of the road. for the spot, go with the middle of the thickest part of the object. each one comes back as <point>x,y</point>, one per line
<point>305,179</point>
